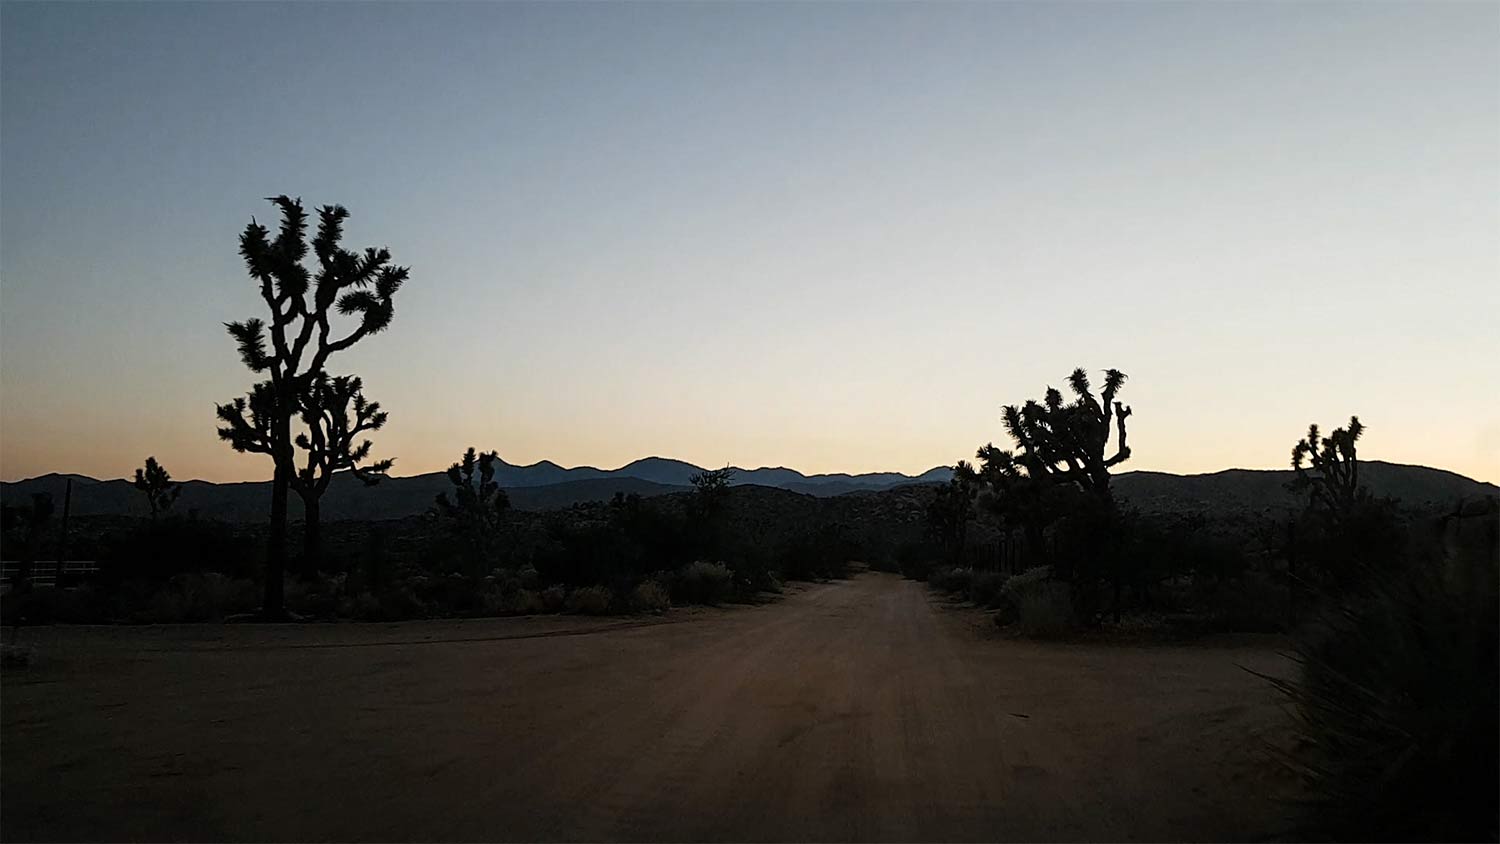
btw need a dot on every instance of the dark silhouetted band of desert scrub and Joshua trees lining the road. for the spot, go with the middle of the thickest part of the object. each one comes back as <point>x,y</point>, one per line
<point>1390,609</point>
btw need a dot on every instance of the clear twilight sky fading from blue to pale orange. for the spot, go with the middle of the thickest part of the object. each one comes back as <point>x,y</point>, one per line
<point>829,236</point>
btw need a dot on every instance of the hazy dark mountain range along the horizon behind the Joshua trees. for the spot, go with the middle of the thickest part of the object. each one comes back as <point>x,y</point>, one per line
<point>548,486</point>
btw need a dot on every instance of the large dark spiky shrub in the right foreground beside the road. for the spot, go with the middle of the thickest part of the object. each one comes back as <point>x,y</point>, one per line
<point>1397,699</point>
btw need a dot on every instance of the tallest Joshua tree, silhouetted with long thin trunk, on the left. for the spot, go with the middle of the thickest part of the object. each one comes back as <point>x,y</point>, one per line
<point>301,340</point>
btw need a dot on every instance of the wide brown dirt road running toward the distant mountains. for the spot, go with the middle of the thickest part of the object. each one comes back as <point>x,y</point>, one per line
<point>850,711</point>
